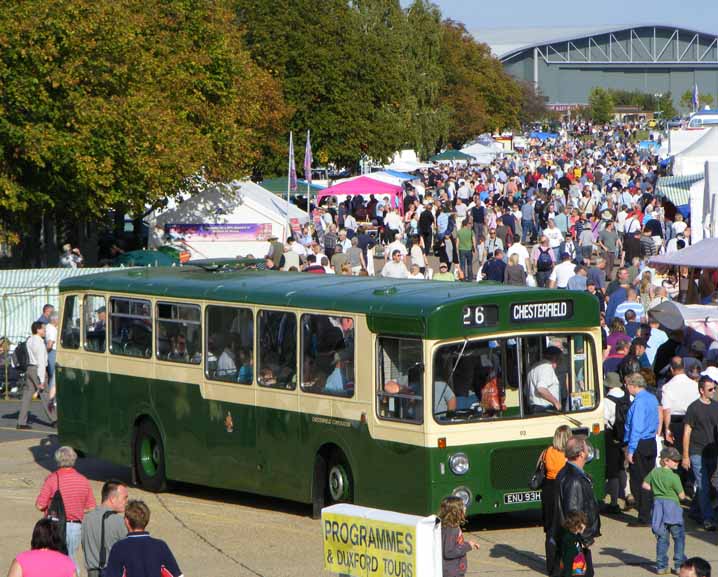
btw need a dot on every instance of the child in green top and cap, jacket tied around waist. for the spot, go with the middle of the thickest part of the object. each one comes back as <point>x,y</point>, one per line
<point>667,512</point>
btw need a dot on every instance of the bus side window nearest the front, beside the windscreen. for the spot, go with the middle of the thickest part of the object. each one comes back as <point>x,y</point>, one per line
<point>400,379</point>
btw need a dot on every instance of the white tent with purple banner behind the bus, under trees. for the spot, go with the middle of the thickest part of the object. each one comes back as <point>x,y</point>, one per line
<point>225,221</point>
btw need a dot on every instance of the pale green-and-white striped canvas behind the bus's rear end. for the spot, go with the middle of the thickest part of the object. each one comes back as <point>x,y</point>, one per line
<point>23,293</point>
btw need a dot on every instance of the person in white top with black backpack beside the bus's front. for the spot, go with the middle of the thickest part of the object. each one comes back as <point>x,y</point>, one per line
<point>615,410</point>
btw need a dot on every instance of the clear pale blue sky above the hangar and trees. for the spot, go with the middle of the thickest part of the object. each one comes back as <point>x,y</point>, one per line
<point>480,14</point>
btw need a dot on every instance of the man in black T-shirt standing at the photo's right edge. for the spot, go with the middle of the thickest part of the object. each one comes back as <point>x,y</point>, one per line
<point>700,451</point>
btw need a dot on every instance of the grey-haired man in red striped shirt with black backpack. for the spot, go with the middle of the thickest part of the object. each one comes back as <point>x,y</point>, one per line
<point>66,495</point>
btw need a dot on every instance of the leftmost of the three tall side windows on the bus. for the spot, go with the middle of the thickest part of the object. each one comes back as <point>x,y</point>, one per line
<point>229,351</point>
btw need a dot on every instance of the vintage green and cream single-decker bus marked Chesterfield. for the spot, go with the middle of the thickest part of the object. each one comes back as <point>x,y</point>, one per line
<point>390,394</point>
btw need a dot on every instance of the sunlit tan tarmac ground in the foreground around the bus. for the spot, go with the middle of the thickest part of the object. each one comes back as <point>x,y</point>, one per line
<point>230,534</point>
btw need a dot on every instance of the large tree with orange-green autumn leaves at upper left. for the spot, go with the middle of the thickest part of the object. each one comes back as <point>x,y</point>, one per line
<point>111,105</point>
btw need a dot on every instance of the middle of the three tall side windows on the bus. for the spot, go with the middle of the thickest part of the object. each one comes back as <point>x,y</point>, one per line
<point>277,348</point>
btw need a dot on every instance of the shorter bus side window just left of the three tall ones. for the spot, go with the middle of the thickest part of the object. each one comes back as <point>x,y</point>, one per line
<point>178,333</point>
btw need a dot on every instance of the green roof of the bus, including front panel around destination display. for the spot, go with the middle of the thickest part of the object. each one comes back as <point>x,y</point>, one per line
<point>428,309</point>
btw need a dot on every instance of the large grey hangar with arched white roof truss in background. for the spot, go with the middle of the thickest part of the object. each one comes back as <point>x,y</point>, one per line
<point>567,63</point>
